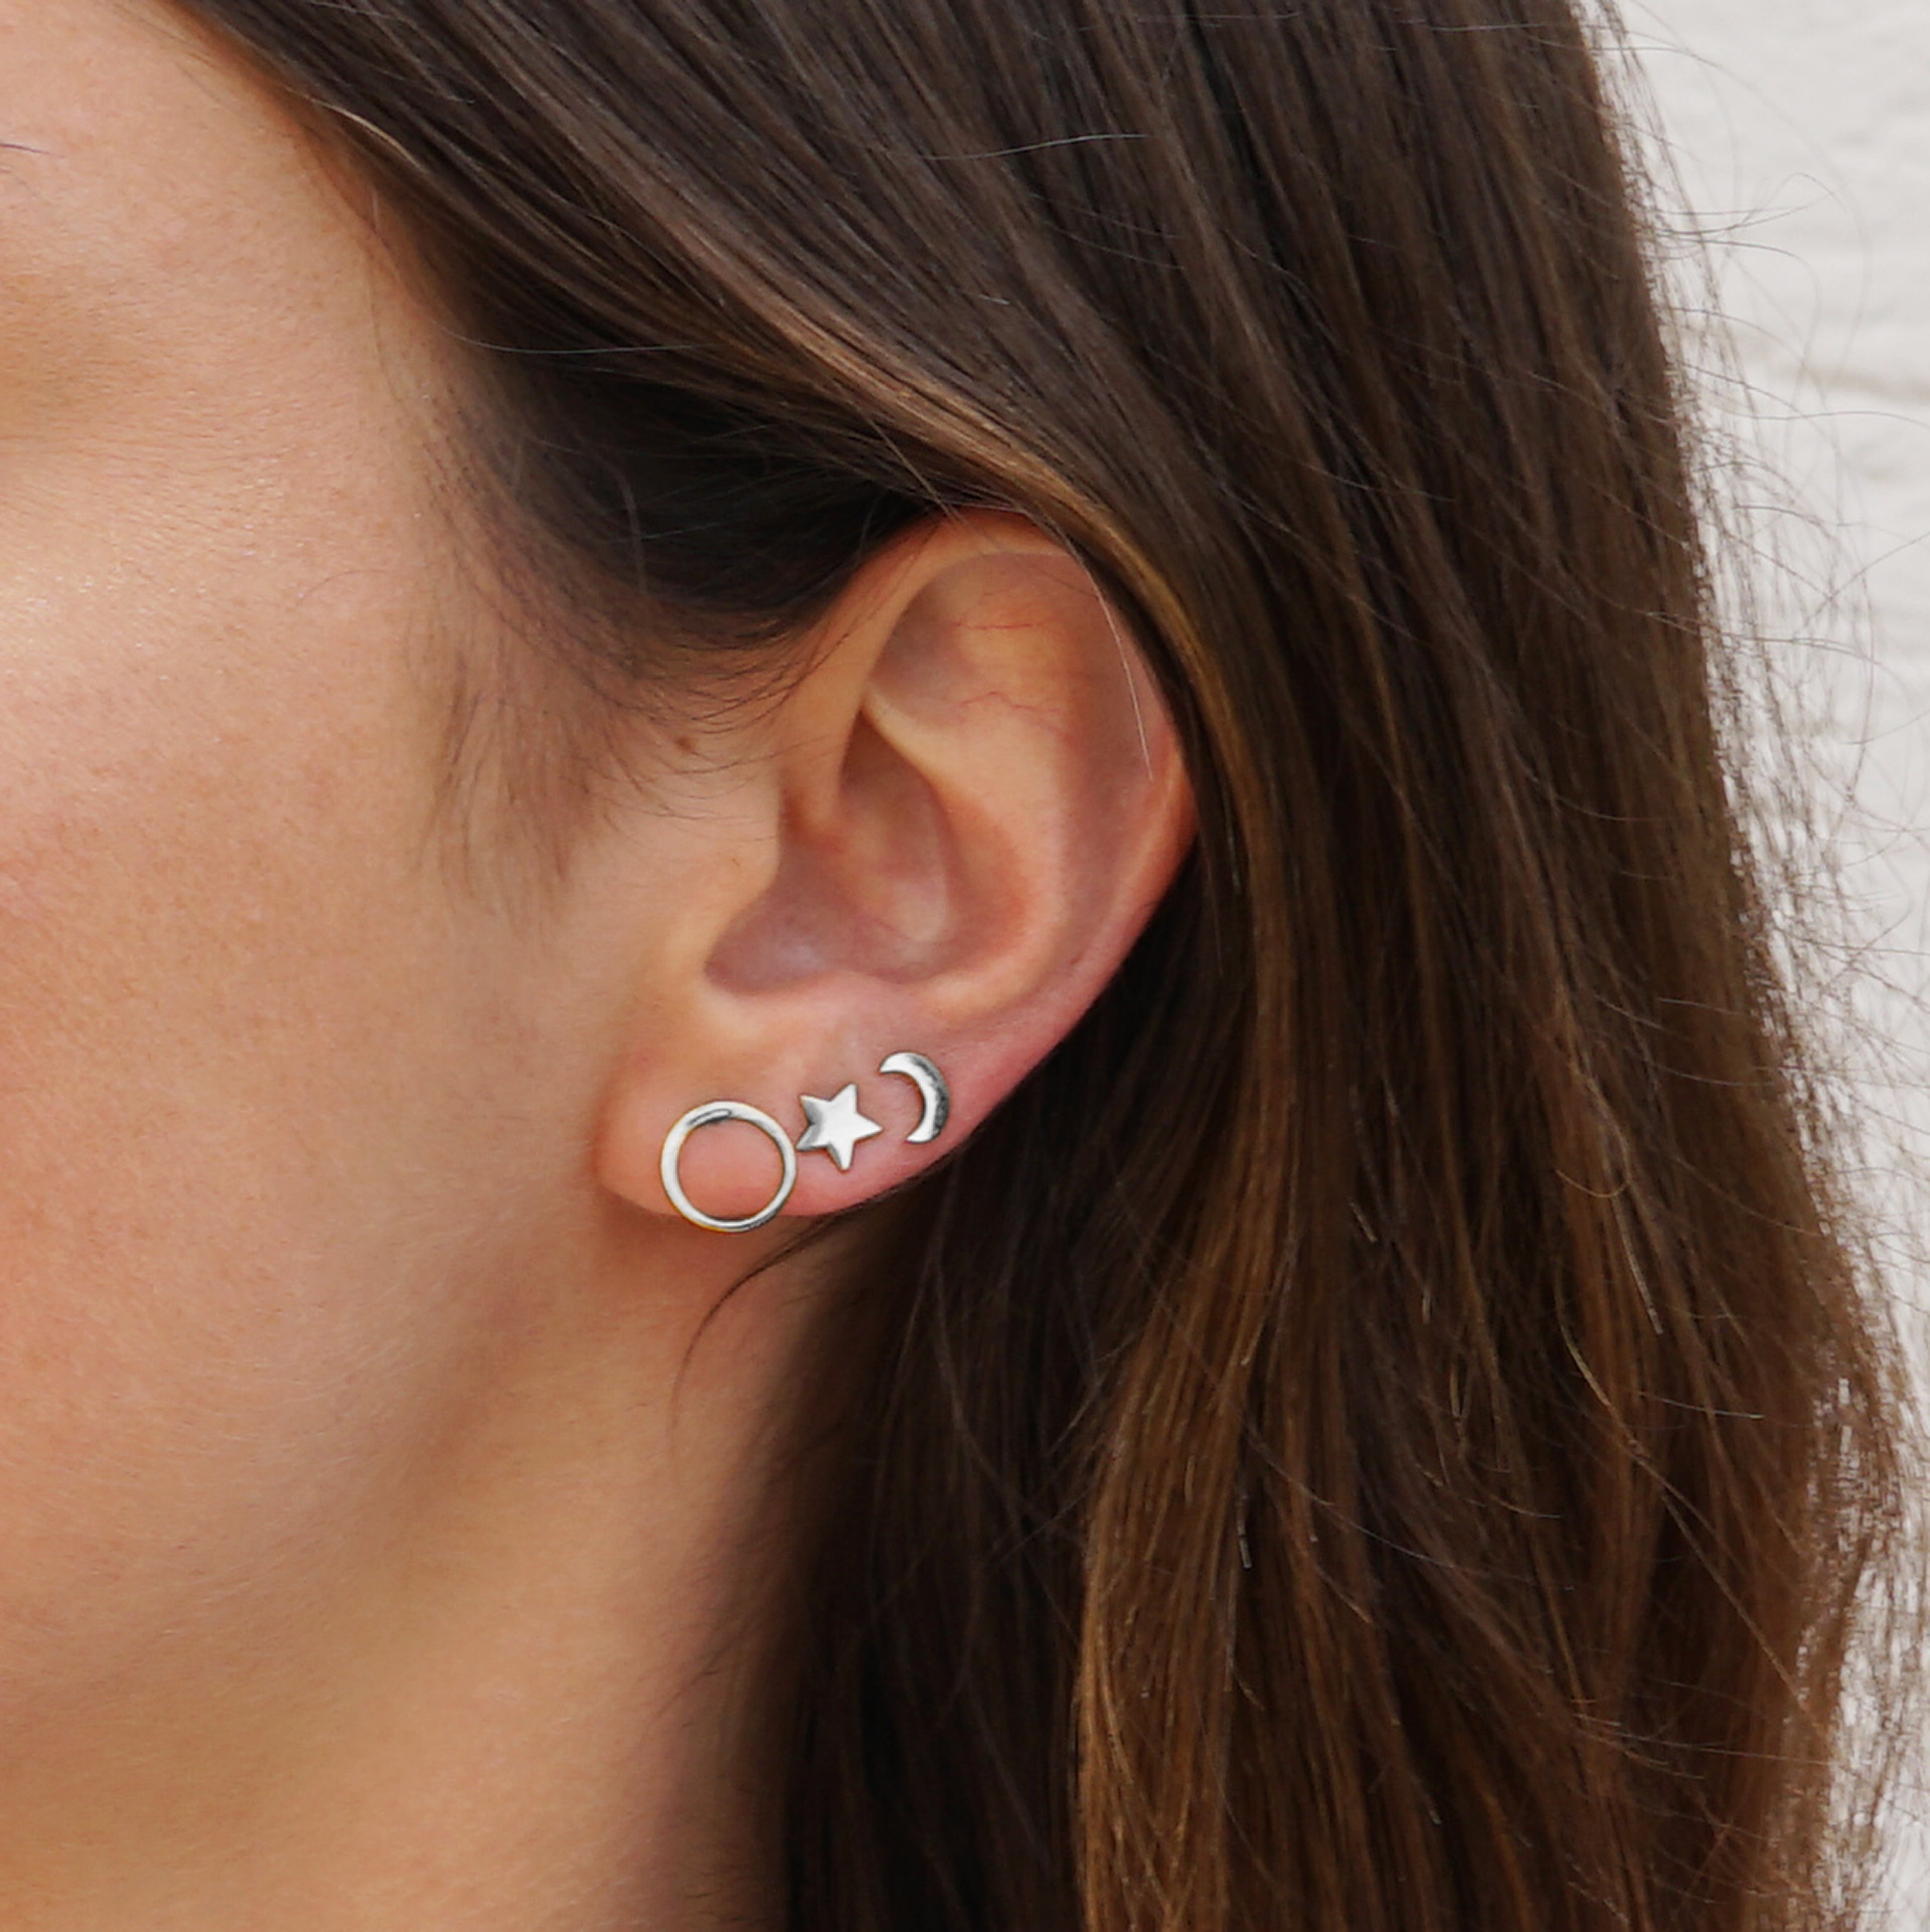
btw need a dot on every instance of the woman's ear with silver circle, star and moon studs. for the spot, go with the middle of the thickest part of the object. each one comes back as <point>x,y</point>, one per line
<point>946,839</point>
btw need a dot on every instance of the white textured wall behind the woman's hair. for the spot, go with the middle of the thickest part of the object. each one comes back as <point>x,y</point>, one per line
<point>1796,142</point>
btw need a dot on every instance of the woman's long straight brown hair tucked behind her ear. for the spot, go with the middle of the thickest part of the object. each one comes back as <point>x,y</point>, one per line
<point>1382,1433</point>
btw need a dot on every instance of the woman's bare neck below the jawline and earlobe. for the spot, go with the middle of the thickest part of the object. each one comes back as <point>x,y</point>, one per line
<point>528,1688</point>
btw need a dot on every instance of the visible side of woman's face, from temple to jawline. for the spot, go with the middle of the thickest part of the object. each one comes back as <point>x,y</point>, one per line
<point>250,1040</point>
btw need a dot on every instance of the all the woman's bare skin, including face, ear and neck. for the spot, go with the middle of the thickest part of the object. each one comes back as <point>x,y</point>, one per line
<point>395,1512</point>
